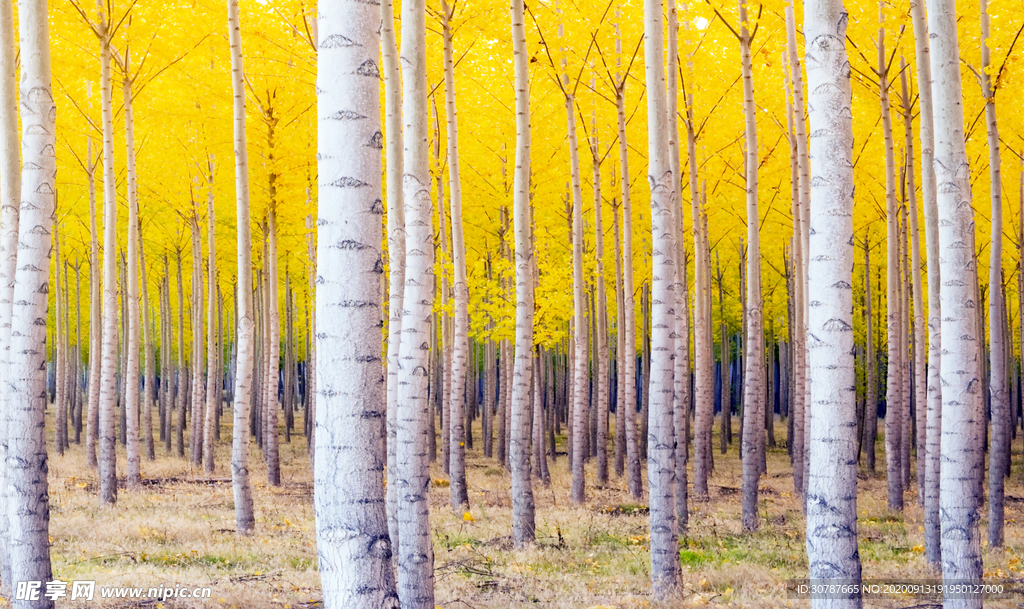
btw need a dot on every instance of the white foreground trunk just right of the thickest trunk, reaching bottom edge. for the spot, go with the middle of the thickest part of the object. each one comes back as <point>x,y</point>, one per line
<point>416,560</point>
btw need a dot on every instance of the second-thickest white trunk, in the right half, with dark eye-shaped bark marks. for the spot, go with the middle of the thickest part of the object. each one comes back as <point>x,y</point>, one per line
<point>832,486</point>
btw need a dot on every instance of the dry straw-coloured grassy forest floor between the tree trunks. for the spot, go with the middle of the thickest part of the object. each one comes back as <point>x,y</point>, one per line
<point>179,531</point>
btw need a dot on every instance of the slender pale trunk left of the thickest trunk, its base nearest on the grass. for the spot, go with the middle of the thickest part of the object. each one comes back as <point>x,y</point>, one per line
<point>245,520</point>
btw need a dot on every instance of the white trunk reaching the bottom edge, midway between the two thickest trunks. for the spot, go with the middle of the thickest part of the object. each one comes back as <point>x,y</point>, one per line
<point>665,569</point>
